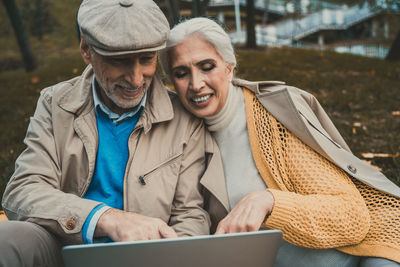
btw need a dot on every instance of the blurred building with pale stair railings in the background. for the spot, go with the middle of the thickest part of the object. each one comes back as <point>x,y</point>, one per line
<point>359,29</point>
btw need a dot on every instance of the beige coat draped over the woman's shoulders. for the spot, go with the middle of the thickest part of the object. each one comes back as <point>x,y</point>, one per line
<point>301,113</point>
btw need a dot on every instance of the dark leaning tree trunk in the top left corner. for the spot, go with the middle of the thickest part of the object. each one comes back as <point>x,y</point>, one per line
<point>20,34</point>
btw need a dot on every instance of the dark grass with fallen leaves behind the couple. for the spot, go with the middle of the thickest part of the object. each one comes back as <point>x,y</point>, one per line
<point>354,90</point>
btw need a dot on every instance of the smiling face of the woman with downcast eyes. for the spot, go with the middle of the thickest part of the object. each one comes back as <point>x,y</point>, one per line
<point>200,76</point>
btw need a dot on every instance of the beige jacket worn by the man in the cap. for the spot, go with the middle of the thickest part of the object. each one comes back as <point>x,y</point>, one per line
<point>167,147</point>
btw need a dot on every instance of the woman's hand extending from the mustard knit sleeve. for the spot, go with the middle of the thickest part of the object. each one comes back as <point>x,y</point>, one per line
<point>248,214</point>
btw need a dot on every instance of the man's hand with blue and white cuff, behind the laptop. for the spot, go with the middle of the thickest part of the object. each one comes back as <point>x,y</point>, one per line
<point>128,226</point>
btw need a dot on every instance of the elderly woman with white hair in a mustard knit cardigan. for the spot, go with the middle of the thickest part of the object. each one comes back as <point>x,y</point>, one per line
<point>286,165</point>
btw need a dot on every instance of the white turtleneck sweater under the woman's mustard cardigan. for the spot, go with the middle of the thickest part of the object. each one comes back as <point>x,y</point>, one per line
<point>229,128</point>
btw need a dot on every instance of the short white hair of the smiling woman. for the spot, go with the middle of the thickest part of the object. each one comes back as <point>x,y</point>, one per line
<point>210,30</point>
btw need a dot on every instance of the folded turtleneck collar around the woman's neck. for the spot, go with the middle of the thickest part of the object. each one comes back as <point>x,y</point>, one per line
<point>224,117</point>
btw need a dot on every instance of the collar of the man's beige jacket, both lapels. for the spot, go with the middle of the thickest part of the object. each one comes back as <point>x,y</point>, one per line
<point>78,99</point>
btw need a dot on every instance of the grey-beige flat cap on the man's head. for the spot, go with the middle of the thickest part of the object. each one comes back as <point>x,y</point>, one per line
<point>118,27</point>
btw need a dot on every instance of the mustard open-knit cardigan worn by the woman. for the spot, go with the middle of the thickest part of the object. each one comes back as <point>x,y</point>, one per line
<point>317,204</point>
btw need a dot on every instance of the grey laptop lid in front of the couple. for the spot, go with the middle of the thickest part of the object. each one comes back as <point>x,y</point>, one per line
<point>255,249</point>
